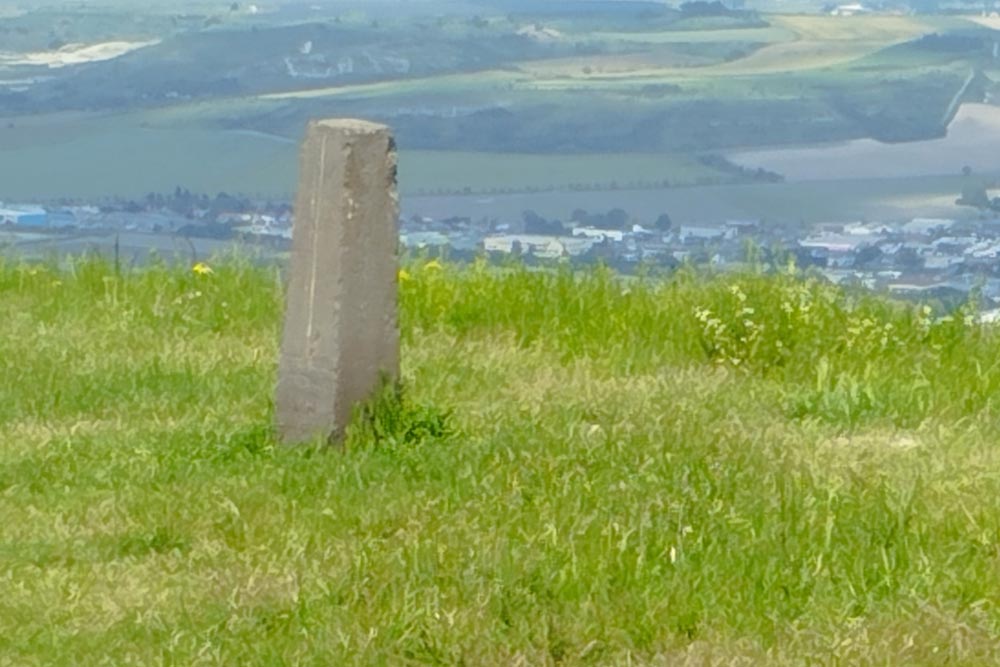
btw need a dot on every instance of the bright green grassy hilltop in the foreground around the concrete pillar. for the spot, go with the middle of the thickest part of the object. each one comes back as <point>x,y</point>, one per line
<point>696,470</point>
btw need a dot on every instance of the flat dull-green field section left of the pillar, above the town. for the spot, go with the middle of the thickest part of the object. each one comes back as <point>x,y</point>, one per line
<point>93,156</point>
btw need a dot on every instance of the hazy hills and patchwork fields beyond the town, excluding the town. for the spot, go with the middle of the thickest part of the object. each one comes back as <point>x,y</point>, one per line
<point>496,96</point>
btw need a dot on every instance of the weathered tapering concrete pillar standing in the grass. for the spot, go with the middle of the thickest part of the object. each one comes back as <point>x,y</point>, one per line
<point>341,338</point>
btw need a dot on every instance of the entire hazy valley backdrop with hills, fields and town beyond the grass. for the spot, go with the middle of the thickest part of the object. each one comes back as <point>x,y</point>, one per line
<point>698,121</point>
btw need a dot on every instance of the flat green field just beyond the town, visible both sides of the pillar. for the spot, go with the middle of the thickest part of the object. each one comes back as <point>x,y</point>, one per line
<point>49,160</point>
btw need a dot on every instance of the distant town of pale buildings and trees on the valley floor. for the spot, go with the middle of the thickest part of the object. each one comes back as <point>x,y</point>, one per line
<point>931,258</point>
